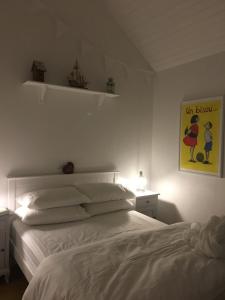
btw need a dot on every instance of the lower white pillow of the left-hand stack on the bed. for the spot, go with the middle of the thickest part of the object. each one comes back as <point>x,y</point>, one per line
<point>51,215</point>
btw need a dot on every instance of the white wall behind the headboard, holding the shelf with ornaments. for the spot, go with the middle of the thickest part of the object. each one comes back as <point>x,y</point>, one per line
<point>37,138</point>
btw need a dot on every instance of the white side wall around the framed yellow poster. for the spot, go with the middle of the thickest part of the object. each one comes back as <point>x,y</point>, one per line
<point>184,196</point>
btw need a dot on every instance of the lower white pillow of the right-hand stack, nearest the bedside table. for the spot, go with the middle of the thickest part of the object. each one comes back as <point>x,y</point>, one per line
<point>109,206</point>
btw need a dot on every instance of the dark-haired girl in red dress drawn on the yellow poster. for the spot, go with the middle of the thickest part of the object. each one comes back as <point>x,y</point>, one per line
<point>191,135</point>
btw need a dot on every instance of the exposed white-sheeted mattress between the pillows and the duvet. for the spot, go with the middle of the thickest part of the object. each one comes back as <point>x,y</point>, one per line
<point>34,243</point>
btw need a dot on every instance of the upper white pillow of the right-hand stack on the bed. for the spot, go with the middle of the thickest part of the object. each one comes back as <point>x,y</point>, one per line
<point>102,192</point>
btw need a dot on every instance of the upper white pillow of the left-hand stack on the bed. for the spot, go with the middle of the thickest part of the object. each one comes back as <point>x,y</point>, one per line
<point>48,198</point>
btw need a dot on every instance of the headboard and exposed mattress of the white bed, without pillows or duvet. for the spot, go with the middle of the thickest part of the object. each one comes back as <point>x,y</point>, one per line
<point>31,244</point>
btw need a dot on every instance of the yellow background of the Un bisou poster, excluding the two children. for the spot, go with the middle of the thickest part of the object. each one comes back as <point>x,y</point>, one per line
<point>207,111</point>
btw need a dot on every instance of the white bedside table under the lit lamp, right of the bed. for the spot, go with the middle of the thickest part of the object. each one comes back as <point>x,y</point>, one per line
<point>146,203</point>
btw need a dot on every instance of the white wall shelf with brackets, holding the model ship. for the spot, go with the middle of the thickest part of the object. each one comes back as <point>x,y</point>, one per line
<point>45,86</point>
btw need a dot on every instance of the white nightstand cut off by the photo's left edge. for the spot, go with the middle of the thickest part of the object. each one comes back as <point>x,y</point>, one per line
<point>4,244</point>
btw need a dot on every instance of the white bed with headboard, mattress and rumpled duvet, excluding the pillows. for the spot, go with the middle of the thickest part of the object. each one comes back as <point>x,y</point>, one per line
<point>116,255</point>
